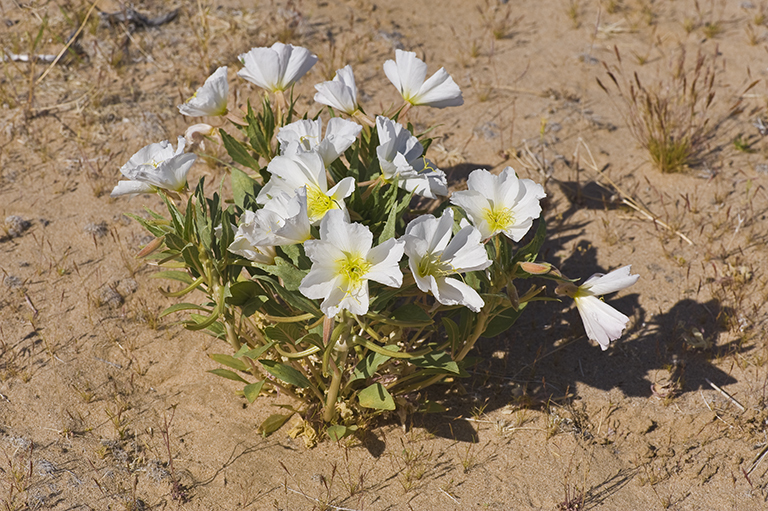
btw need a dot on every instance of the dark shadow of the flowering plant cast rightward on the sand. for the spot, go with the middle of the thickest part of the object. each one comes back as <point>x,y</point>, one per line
<point>545,356</point>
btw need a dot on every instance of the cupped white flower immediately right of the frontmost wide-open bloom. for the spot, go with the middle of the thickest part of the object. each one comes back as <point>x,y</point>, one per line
<point>433,256</point>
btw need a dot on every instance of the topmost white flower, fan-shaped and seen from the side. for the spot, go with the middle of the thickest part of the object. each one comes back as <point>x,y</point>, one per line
<point>276,68</point>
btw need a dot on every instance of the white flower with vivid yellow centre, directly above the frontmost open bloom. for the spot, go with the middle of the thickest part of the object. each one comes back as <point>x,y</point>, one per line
<point>289,173</point>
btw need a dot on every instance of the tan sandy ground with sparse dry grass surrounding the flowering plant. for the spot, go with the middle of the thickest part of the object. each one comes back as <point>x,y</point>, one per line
<point>103,406</point>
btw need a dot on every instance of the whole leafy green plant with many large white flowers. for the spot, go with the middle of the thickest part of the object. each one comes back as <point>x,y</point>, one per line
<point>316,263</point>
